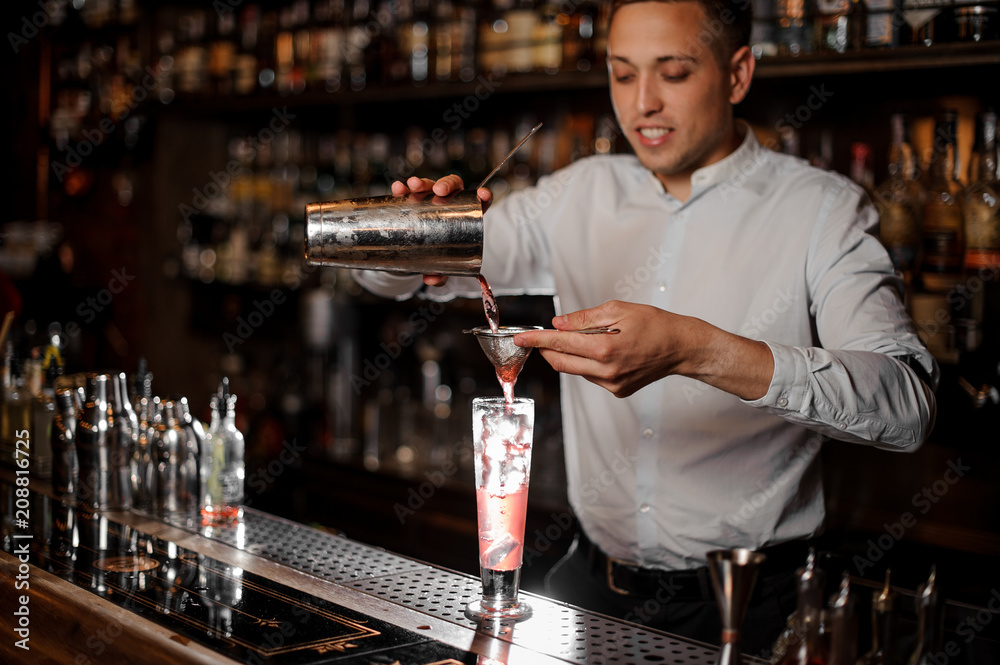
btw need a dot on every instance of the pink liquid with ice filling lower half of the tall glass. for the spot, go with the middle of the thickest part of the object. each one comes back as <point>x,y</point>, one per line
<point>501,528</point>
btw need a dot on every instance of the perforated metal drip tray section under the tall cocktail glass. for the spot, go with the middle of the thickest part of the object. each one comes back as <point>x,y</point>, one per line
<point>554,629</point>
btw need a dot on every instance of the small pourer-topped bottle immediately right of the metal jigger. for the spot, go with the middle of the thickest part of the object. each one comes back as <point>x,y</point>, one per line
<point>799,643</point>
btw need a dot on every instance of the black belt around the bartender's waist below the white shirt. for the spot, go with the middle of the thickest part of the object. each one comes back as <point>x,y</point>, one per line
<point>628,579</point>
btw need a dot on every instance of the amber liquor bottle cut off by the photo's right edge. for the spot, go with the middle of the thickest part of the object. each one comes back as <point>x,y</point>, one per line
<point>982,202</point>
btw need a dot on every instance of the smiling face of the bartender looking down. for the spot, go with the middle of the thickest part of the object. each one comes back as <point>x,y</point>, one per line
<point>670,94</point>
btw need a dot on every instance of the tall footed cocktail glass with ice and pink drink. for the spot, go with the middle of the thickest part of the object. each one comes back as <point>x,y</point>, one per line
<point>501,434</point>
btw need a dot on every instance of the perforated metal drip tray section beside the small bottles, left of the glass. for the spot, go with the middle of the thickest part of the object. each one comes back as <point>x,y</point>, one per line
<point>304,548</point>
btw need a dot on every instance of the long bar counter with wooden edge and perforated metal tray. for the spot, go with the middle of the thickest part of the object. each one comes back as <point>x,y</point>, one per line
<point>127,587</point>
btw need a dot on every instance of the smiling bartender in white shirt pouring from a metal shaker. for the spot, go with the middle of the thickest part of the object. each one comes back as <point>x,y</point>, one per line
<point>758,313</point>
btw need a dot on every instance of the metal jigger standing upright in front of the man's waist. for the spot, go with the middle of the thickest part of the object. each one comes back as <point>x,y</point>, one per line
<point>734,573</point>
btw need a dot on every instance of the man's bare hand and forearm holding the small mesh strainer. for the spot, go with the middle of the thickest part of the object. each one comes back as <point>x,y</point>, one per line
<point>652,344</point>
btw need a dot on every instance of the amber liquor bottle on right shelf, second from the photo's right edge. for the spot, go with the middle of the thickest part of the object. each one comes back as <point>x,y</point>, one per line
<point>942,222</point>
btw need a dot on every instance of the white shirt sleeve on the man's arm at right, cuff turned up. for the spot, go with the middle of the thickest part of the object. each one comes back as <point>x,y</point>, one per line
<point>858,383</point>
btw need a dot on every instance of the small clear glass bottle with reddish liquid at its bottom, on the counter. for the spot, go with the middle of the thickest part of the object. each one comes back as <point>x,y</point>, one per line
<point>222,461</point>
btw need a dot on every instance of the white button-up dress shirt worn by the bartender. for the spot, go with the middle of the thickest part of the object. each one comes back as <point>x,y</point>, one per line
<point>766,247</point>
